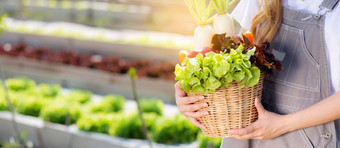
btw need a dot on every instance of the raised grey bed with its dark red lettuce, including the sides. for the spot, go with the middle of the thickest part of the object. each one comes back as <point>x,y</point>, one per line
<point>37,64</point>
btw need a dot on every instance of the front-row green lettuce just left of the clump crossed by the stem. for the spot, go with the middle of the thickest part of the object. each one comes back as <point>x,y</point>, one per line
<point>99,122</point>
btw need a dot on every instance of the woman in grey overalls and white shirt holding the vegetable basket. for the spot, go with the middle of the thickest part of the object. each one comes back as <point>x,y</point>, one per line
<point>300,106</point>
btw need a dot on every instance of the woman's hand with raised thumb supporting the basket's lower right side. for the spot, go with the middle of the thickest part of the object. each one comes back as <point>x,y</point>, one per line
<point>269,125</point>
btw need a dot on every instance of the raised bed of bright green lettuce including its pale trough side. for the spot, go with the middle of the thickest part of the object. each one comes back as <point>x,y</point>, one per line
<point>95,121</point>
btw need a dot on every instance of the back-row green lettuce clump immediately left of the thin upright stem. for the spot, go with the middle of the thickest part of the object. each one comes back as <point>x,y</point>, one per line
<point>109,103</point>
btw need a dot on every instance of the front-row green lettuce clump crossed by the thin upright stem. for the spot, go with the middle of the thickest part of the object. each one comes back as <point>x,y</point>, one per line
<point>131,126</point>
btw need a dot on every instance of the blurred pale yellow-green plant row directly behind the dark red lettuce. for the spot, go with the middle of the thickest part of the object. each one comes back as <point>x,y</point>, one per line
<point>76,31</point>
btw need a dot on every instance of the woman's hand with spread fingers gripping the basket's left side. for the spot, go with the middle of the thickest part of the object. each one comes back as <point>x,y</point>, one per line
<point>187,107</point>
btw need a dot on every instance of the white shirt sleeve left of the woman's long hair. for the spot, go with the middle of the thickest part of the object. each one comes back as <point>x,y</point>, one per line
<point>244,12</point>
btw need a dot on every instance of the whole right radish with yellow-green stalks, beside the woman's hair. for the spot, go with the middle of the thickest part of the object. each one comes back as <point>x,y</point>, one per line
<point>223,22</point>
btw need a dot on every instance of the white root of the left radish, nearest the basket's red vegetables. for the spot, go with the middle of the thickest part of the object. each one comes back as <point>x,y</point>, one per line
<point>202,36</point>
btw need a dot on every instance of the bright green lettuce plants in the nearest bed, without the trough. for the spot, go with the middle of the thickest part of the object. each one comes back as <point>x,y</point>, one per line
<point>106,115</point>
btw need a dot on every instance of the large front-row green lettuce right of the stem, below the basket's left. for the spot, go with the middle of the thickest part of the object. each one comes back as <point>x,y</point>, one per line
<point>177,129</point>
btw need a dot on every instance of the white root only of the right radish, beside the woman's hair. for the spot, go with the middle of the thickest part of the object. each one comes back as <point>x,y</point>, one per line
<point>224,24</point>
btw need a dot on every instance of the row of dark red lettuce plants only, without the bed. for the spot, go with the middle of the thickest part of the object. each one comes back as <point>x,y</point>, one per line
<point>113,64</point>
